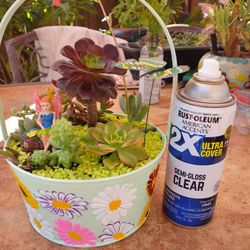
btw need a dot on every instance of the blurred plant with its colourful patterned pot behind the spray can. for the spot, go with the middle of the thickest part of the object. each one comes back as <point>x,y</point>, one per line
<point>230,21</point>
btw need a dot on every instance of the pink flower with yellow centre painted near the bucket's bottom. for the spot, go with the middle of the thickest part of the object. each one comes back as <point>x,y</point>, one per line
<point>74,234</point>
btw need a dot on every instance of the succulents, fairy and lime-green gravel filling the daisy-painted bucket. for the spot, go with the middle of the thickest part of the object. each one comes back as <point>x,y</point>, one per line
<point>84,139</point>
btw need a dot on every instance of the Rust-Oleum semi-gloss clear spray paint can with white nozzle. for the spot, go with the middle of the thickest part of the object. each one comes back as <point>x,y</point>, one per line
<point>202,119</point>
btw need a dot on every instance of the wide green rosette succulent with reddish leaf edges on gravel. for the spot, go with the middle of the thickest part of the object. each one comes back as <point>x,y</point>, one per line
<point>121,142</point>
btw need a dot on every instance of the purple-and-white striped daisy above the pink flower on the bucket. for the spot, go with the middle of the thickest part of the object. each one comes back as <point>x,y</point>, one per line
<point>62,204</point>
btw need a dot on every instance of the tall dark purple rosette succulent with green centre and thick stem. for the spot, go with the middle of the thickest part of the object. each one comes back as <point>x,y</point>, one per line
<point>86,74</point>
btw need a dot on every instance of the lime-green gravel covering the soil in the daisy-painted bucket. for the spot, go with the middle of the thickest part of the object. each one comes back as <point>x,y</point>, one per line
<point>91,167</point>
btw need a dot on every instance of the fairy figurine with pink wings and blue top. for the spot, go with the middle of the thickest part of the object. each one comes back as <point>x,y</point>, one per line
<point>49,108</point>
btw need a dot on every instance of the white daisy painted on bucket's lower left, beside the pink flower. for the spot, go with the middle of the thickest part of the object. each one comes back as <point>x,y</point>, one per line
<point>40,224</point>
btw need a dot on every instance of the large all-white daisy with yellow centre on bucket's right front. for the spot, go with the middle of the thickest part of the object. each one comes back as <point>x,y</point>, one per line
<point>113,203</point>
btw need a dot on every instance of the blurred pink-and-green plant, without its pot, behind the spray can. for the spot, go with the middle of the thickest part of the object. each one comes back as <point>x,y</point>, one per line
<point>230,21</point>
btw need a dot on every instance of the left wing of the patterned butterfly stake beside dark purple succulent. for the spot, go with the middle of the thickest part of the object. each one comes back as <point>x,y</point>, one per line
<point>145,64</point>
